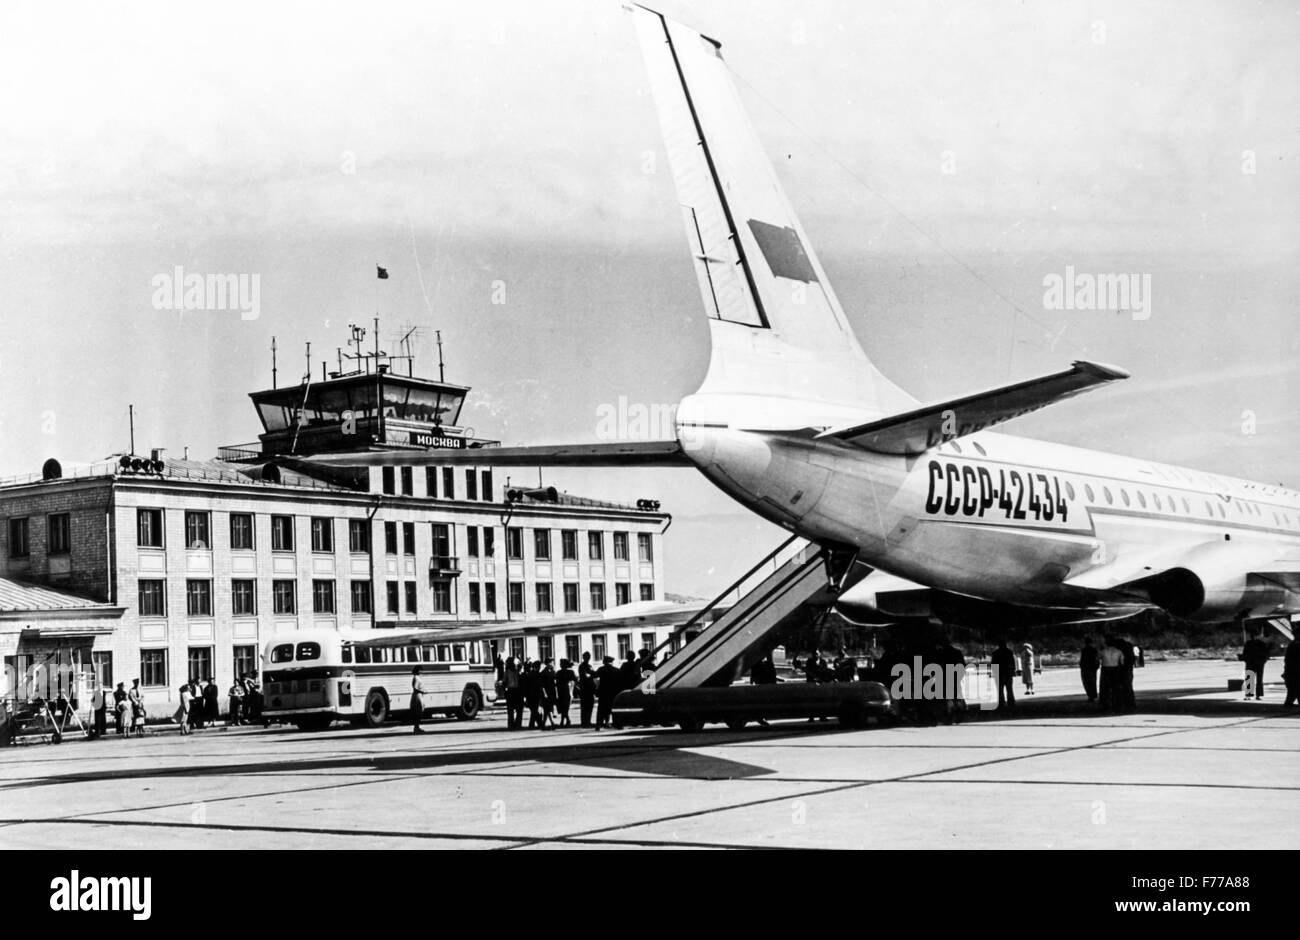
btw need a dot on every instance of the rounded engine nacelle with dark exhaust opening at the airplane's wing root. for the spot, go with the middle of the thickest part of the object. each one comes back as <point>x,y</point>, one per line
<point>1215,584</point>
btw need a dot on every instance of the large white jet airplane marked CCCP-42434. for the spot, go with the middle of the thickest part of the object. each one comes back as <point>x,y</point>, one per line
<point>954,521</point>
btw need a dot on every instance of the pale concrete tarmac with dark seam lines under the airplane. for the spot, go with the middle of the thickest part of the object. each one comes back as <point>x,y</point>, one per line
<point>1195,768</point>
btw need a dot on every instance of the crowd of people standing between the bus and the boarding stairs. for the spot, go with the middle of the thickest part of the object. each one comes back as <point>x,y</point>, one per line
<point>549,694</point>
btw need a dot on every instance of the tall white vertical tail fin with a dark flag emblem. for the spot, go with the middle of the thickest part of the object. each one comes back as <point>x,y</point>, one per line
<point>777,327</point>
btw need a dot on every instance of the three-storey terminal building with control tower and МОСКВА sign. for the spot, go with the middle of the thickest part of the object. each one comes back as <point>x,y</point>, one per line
<point>162,569</point>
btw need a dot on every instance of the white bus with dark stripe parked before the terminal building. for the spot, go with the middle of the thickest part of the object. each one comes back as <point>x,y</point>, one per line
<point>315,678</point>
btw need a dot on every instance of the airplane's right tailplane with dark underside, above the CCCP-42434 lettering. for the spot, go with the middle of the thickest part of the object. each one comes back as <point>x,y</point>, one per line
<point>916,432</point>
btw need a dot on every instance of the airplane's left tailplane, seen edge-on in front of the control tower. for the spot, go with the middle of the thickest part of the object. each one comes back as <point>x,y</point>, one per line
<point>604,454</point>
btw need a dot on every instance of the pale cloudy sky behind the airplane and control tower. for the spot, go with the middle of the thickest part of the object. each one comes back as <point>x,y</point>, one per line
<point>504,162</point>
